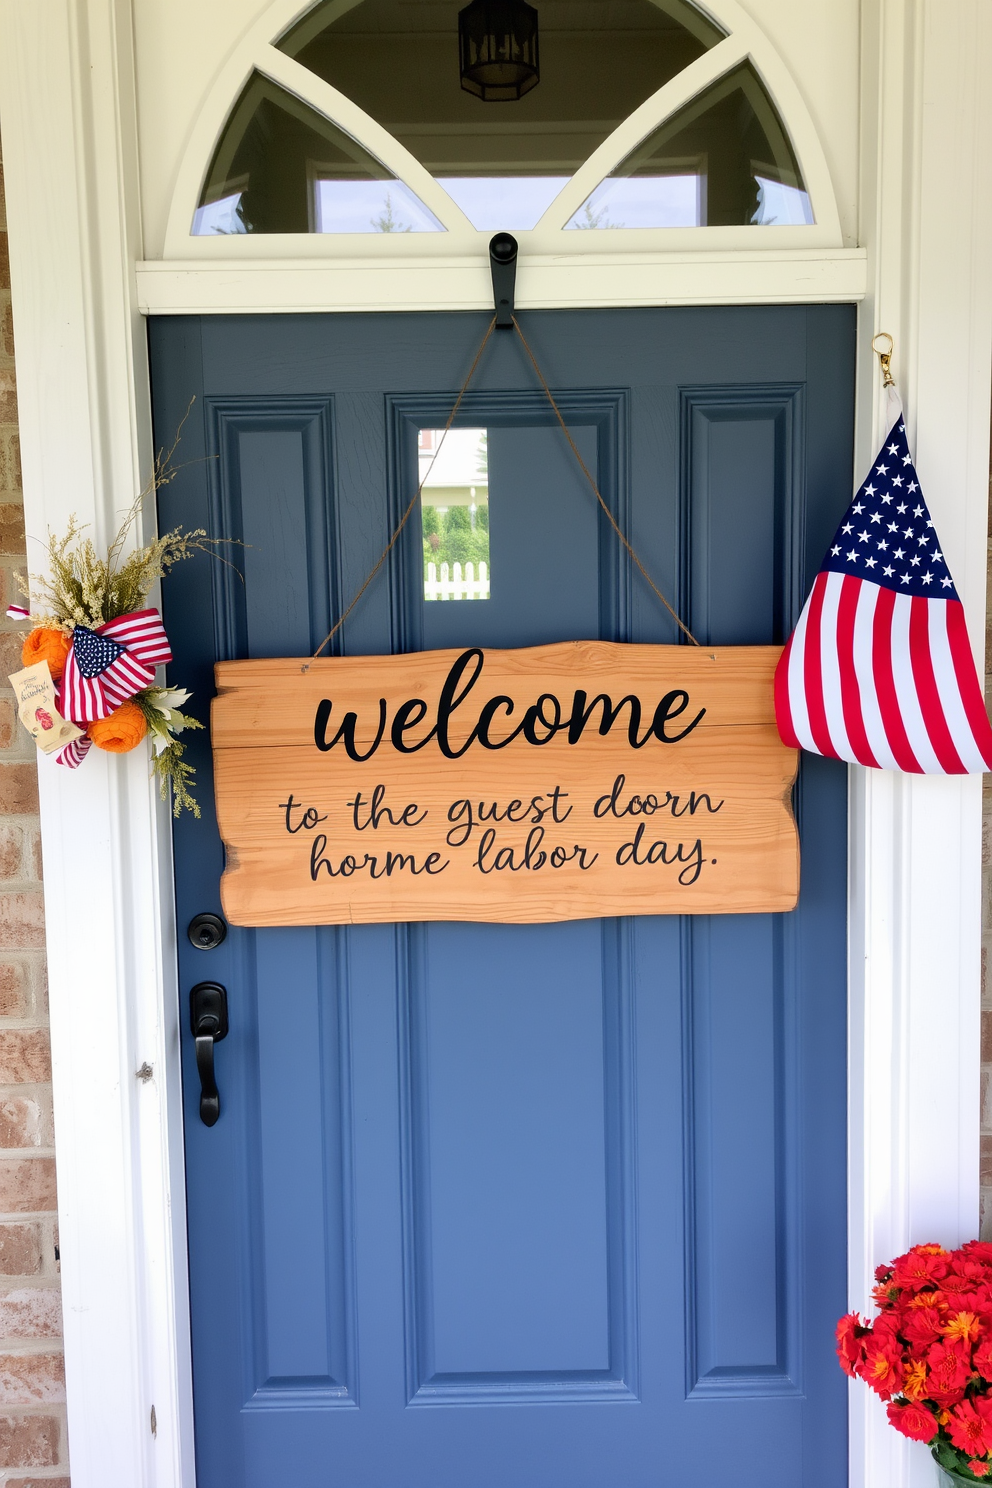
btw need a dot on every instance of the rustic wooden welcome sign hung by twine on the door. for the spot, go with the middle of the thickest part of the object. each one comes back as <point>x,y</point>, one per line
<point>551,783</point>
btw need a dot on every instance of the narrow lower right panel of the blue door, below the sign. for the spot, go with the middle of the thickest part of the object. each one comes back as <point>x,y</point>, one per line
<point>740,1196</point>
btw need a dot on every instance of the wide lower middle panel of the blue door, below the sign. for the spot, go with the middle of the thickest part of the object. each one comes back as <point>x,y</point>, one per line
<point>517,1166</point>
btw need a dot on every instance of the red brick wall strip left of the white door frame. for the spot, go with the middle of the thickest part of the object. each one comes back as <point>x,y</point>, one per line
<point>32,1380</point>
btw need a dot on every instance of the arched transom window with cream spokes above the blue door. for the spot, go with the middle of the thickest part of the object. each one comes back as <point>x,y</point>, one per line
<point>621,117</point>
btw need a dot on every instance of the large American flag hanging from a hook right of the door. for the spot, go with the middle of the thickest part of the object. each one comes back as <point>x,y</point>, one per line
<point>880,670</point>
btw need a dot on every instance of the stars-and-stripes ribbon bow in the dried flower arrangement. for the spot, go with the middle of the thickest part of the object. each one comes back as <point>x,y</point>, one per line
<point>109,666</point>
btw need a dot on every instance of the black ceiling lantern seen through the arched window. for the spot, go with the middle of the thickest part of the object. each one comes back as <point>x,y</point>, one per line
<point>497,50</point>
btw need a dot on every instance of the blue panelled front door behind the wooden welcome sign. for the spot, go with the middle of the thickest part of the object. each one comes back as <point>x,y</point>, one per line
<point>515,1206</point>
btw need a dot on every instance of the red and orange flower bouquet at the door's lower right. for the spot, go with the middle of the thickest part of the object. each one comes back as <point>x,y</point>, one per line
<point>929,1353</point>
